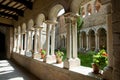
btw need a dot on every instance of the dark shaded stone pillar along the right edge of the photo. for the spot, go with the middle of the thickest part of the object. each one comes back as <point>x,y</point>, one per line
<point>116,38</point>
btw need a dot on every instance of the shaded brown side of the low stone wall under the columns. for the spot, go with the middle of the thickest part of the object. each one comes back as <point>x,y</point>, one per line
<point>46,71</point>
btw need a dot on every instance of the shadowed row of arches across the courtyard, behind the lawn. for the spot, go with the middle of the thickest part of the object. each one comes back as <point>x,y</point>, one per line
<point>93,38</point>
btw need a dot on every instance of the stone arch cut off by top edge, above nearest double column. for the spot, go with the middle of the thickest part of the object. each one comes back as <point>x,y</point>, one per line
<point>75,5</point>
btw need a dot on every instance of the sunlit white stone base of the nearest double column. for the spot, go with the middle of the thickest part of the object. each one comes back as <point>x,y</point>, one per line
<point>69,63</point>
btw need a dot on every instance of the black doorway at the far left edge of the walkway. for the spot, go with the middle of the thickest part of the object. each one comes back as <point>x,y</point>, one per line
<point>2,47</point>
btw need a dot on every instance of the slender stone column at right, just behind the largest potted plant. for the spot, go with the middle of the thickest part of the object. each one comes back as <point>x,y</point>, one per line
<point>108,71</point>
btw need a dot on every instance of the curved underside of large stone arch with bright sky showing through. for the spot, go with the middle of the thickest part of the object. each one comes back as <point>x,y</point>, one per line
<point>54,12</point>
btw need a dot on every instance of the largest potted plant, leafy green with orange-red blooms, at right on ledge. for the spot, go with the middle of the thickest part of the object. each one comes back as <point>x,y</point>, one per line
<point>99,60</point>
